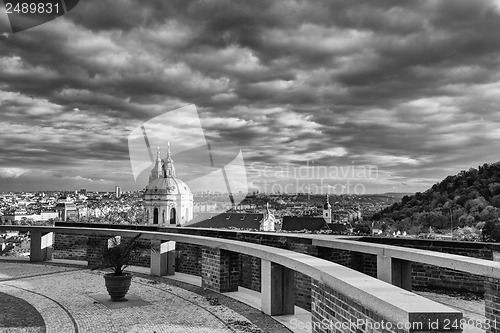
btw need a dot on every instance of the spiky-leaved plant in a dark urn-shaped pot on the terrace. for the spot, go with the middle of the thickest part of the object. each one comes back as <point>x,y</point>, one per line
<point>116,256</point>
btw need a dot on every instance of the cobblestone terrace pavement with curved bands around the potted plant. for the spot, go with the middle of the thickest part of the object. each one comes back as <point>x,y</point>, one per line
<point>63,297</point>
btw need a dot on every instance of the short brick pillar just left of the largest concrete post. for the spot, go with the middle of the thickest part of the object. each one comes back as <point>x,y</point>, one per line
<point>220,270</point>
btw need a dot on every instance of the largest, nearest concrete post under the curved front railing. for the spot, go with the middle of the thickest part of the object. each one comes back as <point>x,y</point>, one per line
<point>277,289</point>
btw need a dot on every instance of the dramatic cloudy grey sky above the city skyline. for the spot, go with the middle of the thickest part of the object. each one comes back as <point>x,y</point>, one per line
<point>411,88</point>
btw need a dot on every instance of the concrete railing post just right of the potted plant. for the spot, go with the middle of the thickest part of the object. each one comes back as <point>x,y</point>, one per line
<point>162,258</point>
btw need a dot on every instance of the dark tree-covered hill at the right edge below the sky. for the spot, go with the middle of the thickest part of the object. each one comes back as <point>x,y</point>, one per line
<point>461,200</point>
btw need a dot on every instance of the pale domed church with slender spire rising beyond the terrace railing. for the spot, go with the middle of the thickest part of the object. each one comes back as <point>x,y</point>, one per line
<point>168,201</point>
